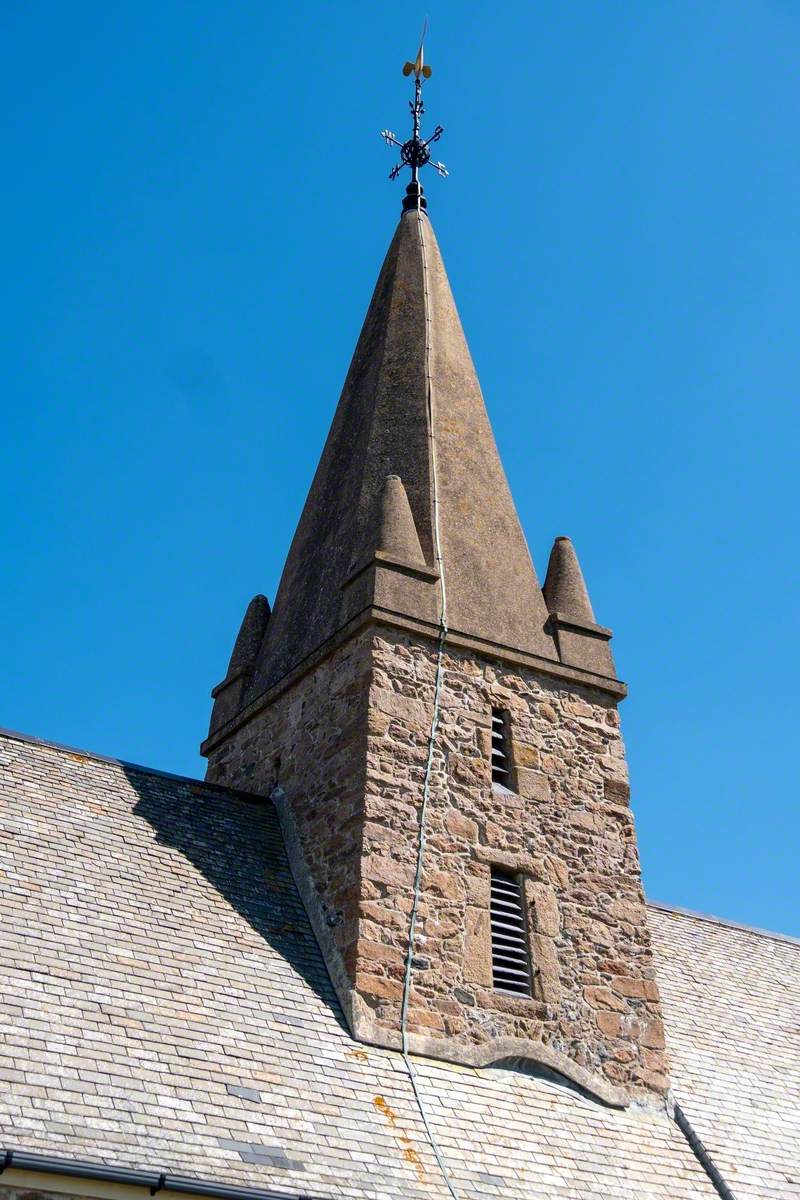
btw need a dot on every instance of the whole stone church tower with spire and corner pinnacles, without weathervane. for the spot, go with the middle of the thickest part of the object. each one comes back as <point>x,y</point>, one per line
<point>441,734</point>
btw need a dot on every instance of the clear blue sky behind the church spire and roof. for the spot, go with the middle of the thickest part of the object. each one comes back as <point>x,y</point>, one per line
<point>195,211</point>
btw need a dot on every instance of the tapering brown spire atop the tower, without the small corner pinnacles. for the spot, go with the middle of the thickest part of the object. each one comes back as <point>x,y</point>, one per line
<point>411,393</point>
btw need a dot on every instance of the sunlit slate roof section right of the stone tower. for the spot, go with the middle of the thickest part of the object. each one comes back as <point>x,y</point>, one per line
<point>732,1011</point>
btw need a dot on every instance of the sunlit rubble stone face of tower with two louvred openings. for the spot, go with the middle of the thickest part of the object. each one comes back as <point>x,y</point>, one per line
<point>567,831</point>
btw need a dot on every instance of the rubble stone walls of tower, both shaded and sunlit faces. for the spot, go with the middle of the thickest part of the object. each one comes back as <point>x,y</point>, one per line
<point>352,742</point>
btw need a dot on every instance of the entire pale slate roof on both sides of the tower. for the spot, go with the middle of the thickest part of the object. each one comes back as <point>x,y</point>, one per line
<point>165,1006</point>
